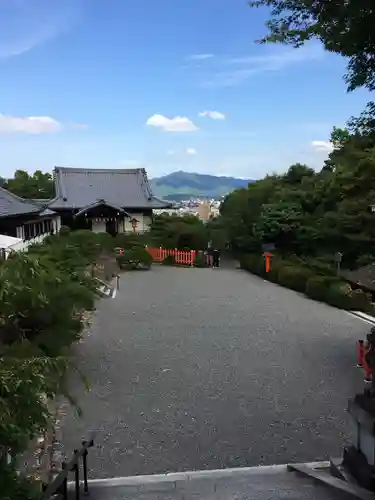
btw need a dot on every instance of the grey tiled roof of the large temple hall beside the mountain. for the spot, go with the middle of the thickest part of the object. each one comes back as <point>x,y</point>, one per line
<point>80,187</point>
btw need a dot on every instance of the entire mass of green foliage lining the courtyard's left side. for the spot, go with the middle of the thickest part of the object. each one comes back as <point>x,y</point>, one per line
<point>44,294</point>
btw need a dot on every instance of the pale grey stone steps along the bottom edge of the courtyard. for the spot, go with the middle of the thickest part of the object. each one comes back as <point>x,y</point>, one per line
<point>277,482</point>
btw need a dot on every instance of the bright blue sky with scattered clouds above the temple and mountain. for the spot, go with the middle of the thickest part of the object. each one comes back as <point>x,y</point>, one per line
<point>168,85</point>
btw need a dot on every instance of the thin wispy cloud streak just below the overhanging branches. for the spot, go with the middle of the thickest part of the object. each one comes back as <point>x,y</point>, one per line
<point>241,69</point>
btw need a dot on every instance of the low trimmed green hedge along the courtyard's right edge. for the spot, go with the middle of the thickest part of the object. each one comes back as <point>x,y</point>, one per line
<point>329,289</point>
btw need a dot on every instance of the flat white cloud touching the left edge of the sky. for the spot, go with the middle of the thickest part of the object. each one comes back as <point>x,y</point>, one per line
<point>28,124</point>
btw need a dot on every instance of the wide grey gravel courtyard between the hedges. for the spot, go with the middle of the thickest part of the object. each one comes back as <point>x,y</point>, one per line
<point>201,369</point>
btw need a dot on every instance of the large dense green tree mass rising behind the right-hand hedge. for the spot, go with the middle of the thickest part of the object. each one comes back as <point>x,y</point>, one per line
<point>313,214</point>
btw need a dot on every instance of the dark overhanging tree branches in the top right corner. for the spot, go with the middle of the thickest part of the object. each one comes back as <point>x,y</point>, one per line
<point>343,26</point>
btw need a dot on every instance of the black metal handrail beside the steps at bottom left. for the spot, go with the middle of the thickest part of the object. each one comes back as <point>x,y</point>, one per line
<point>59,485</point>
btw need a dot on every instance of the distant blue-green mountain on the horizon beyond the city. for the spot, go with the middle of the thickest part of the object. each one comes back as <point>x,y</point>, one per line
<point>184,185</point>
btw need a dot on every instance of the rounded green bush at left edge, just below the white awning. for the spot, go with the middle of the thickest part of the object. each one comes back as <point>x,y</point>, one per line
<point>40,303</point>
